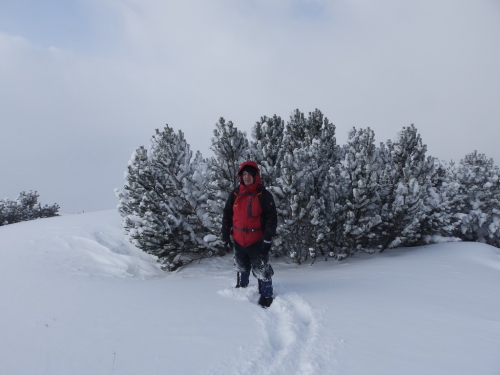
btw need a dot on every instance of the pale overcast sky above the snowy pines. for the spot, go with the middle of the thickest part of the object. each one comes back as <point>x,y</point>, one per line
<point>85,82</point>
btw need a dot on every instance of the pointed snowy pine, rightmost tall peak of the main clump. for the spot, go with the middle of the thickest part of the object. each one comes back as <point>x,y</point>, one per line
<point>402,199</point>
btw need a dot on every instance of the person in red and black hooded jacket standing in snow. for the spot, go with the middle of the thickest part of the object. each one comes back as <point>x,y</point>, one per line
<point>250,218</point>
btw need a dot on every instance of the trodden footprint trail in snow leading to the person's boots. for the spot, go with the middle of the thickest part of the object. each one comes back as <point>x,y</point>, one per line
<point>291,343</point>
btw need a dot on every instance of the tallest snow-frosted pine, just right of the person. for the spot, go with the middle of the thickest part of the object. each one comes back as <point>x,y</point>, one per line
<point>309,150</point>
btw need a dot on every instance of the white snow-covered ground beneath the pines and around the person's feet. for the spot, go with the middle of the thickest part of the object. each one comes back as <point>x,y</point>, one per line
<point>76,298</point>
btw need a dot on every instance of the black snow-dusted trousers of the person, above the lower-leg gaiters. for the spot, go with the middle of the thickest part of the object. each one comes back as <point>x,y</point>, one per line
<point>253,258</point>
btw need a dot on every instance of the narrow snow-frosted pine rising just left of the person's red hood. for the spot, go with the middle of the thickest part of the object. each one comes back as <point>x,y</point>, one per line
<point>231,148</point>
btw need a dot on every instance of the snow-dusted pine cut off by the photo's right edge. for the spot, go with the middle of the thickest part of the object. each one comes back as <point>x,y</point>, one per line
<point>478,205</point>
